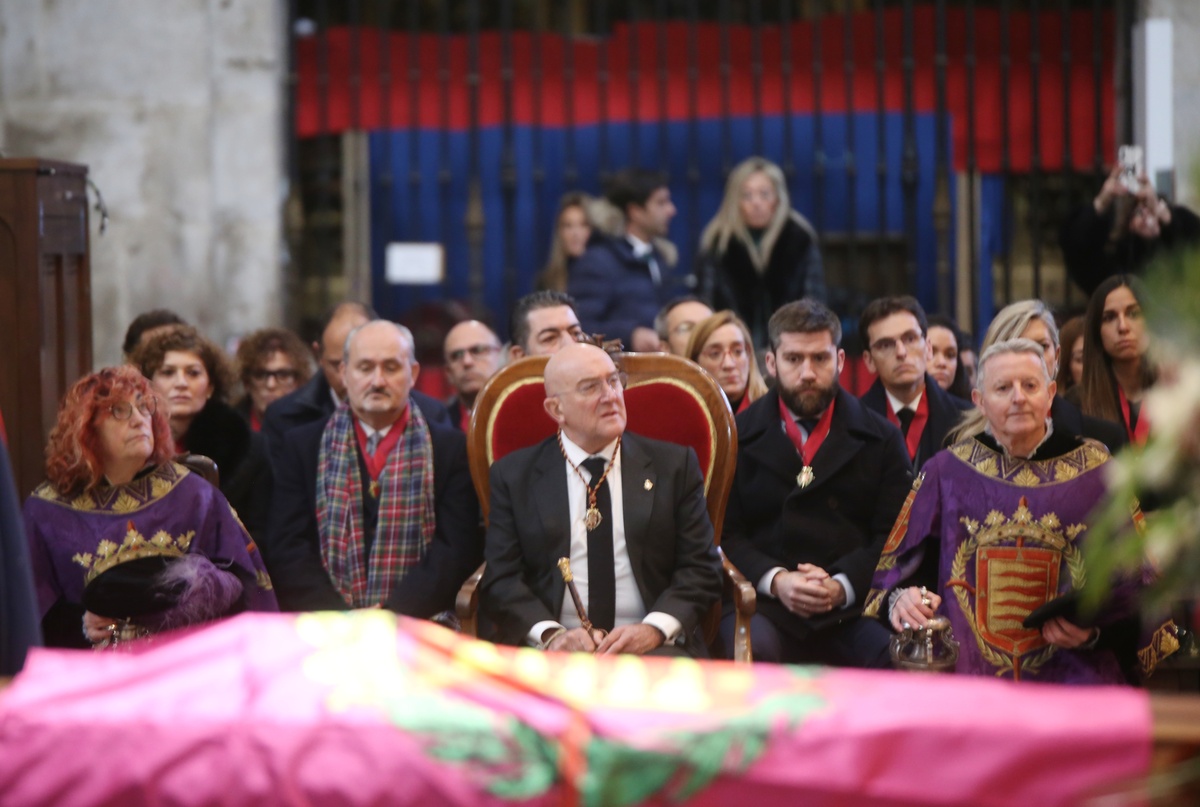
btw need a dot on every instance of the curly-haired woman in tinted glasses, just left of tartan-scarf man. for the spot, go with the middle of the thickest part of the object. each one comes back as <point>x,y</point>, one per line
<point>272,362</point>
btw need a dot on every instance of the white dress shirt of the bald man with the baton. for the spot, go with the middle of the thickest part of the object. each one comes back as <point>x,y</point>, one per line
<point>631,608</point>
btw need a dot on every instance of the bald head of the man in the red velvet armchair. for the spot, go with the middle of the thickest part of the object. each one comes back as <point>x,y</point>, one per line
<point>585,396</point>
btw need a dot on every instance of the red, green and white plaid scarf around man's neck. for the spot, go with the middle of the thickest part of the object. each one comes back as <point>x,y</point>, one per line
<point>406,510</point>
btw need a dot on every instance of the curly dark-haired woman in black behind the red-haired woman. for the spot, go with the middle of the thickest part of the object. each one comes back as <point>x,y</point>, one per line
<point>193,379</point>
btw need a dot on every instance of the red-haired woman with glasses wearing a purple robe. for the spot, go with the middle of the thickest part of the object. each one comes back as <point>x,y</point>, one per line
<point>113,495</point>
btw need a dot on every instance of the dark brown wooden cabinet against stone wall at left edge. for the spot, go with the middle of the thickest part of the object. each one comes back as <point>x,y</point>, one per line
<point>45,303</point>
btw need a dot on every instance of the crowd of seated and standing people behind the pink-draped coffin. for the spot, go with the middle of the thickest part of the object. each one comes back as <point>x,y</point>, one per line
<point>347,488</point>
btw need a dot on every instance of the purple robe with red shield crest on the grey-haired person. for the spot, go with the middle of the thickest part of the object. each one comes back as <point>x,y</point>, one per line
<point>1009,536</point>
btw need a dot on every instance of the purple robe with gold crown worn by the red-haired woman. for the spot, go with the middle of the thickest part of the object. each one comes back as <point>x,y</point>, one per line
<point>172,507</point>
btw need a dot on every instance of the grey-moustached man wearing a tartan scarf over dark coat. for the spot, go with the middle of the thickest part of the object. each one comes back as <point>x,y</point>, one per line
<point>375,507</point>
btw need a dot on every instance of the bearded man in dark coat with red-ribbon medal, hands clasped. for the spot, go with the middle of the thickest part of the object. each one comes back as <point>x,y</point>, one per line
<point>819,483</point>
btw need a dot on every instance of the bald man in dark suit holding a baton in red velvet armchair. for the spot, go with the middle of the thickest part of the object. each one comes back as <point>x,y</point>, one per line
<point>629,512</point>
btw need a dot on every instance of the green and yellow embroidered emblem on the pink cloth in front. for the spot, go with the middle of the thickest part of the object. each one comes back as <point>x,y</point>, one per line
<point>694,722</point>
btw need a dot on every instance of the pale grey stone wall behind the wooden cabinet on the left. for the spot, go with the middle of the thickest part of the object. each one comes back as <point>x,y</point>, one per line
<point>177,110</point>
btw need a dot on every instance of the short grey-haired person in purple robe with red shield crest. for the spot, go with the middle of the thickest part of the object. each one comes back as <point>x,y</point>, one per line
<point>995,528</point>
